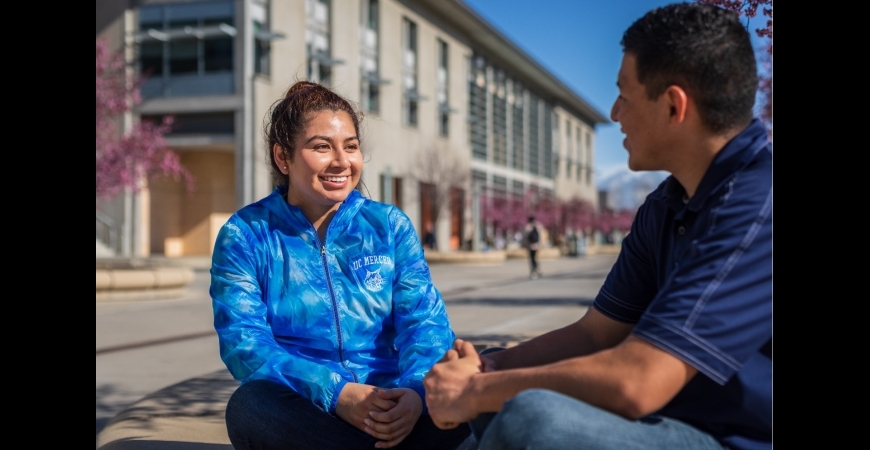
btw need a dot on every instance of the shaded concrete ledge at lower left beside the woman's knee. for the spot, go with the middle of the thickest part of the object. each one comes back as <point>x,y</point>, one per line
<point>185,416</point>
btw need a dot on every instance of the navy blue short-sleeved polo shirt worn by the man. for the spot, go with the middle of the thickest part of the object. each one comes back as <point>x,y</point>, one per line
<point>696,277</point>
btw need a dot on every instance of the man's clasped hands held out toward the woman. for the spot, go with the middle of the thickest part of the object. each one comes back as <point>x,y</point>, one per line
<point>447,386</point>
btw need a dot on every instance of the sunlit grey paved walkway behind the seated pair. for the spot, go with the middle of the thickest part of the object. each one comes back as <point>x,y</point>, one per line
<point>143,346</point>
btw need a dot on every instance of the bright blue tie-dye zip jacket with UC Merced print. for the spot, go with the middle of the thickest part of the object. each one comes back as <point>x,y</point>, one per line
<point>360,307</point>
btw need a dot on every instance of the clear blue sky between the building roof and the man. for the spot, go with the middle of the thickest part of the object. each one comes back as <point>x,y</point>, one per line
<point>577,41</point>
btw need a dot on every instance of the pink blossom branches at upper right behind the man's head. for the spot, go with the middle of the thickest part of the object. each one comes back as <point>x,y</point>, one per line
<point>750,9</point>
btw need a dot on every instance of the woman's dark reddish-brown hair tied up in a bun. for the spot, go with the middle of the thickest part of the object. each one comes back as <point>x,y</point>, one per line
<point>289,116</point>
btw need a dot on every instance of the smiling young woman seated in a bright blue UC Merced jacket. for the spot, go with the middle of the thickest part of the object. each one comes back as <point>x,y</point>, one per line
<point>323,301</point>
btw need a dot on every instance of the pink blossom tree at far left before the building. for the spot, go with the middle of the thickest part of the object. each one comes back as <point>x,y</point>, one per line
<point>125,158</point>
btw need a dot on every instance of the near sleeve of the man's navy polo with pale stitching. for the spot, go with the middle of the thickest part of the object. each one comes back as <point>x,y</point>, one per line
<point>714,310</point>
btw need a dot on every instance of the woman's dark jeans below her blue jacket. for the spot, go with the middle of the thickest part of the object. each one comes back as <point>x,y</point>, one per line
<point>266,415</point>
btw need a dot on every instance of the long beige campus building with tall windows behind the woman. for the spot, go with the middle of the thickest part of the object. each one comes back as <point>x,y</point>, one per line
<point>431,76</point>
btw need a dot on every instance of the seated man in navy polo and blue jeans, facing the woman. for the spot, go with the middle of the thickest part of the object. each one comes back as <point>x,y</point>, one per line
<point>676,351</point>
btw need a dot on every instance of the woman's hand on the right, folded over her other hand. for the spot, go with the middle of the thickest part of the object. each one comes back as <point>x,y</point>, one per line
<point>394,425</point>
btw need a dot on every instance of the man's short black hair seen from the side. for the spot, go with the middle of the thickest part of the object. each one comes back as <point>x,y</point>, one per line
<point>703,49</point>
